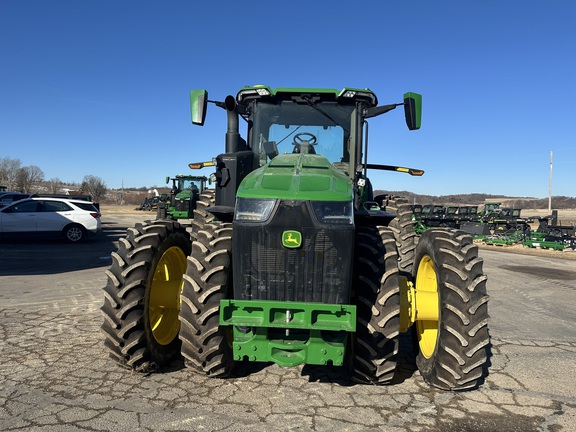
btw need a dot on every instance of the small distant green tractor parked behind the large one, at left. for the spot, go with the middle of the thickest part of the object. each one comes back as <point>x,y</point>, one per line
<point>187,193</point>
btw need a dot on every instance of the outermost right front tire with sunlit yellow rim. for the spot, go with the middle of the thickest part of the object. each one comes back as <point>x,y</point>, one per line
<point>453,352</point>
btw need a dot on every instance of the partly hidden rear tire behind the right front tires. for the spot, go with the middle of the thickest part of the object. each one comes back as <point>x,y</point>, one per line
<point>403,227</point>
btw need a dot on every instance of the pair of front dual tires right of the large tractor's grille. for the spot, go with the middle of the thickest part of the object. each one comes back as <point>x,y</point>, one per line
<point>453,349</point>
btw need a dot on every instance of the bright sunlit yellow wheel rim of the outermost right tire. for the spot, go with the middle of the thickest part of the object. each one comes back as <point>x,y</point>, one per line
<point>427,283</point>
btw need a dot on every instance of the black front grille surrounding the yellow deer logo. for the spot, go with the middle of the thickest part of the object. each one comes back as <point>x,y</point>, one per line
<point>318,271</point>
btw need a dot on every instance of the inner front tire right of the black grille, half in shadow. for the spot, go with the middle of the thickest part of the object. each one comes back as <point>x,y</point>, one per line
<point>377,298</point>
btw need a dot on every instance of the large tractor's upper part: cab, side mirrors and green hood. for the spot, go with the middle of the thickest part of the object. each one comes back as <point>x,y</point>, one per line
<point>301,131</point>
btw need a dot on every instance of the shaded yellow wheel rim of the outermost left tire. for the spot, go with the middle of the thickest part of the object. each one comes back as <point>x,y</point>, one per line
<point>164,306</point>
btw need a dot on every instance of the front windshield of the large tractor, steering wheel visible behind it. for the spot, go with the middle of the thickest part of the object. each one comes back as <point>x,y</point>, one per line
<point>288,127</point>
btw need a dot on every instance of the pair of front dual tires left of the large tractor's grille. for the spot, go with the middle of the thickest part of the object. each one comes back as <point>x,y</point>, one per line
<point>162,298</point>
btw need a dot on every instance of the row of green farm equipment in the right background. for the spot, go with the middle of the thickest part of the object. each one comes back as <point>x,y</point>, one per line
<point>495,225</point>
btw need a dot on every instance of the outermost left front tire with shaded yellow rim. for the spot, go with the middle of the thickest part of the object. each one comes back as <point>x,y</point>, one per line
<point>142,295</point>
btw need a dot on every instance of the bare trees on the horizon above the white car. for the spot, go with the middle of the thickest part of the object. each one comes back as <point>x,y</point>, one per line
<point>30,179</point>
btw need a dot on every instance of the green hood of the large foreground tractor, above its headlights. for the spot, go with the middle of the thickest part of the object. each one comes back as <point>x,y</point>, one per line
<point>306,177</point>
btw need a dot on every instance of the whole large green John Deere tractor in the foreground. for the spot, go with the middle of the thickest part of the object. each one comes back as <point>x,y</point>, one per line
<point>296,262</point>
